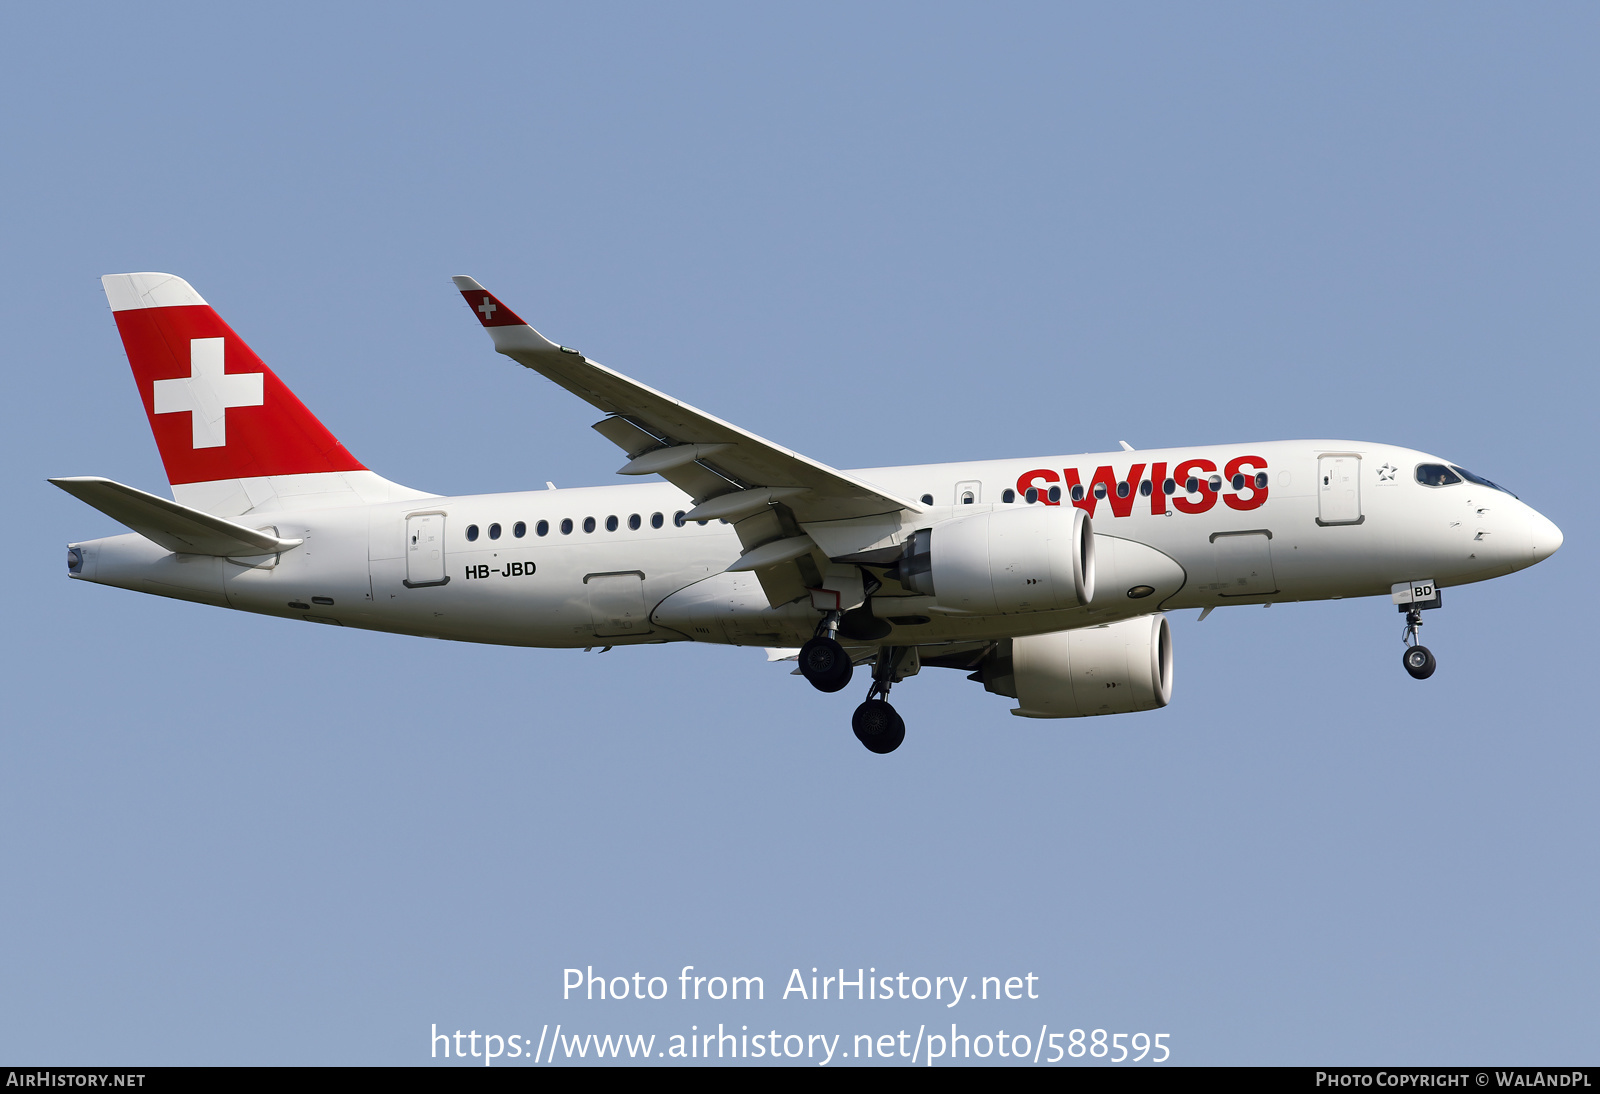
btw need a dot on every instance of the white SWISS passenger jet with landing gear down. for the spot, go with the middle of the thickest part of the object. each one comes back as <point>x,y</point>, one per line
<point>1046,580</point>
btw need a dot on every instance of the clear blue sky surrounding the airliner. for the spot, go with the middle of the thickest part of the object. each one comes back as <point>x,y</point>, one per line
<point>876,234</point>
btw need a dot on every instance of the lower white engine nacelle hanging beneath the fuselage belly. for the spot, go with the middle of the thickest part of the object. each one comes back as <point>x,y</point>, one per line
<point>1074,674</point>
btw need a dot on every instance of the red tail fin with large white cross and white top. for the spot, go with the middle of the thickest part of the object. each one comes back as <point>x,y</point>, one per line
<point>215,409</point>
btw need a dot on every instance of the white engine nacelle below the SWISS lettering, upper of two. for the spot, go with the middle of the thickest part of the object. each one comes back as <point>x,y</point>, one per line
<point>1004,562</point>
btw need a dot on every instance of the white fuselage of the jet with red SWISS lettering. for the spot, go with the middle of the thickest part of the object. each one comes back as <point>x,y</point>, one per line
<point>1300,538</point>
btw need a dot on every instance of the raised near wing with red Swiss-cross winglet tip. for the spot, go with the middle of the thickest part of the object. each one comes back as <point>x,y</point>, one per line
<point>729,473</point>
